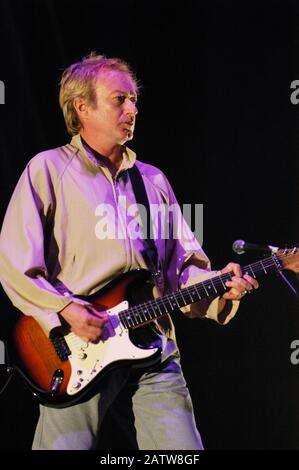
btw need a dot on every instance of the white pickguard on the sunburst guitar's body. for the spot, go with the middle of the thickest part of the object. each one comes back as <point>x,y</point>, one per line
<point>89,359</point>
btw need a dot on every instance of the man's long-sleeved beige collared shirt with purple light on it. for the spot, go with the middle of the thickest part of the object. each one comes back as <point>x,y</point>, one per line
<point>57,238</point>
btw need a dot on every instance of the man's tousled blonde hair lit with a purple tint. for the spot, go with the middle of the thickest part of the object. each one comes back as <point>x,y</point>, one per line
<point>78,80</point>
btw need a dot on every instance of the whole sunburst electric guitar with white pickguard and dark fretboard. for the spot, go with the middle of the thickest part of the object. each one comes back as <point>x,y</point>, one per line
<point>63,368</point>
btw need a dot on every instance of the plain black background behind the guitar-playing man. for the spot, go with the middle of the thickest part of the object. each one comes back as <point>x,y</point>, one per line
<point>215,115</point>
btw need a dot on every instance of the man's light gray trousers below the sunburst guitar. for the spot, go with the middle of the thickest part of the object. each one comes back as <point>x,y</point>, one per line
<point>161,406</point>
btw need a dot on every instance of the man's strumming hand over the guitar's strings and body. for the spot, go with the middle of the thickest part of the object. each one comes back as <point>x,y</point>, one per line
<point>85,321</point>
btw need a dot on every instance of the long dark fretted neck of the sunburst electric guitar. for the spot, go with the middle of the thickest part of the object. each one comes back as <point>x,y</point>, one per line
<point>143,313</point>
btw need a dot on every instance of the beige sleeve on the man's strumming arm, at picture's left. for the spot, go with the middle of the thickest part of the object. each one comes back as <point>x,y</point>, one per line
<point>23,270</point>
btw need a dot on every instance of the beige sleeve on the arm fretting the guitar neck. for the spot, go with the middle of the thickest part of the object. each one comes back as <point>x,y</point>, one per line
<point>187,264</point>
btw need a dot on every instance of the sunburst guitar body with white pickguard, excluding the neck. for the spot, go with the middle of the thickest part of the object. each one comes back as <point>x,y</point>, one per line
<point>61,370</point>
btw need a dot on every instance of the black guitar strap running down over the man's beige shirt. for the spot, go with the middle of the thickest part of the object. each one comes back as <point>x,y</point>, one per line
<point>150,250</point>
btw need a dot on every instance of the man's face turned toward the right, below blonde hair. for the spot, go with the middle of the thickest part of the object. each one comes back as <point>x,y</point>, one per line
<point>113,119</point>
